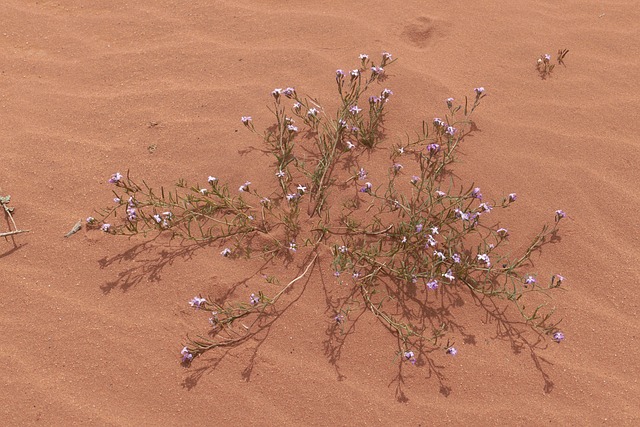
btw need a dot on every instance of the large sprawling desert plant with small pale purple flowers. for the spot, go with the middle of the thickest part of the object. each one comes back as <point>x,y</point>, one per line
<point>400,245</point>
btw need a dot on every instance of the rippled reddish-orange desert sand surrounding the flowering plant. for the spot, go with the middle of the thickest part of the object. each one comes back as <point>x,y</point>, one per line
<point>91,326</point>
